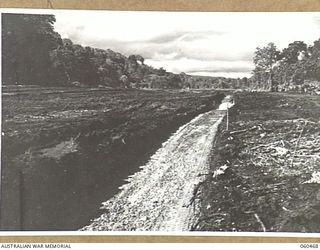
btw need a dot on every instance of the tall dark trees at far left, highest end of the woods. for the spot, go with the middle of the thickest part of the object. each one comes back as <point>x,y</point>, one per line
<point>26,42</point>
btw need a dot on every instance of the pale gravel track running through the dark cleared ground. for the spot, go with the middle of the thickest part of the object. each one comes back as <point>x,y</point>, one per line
<point>157,198</point>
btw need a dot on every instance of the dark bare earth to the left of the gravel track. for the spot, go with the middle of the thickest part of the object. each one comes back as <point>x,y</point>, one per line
<point>66,150</point>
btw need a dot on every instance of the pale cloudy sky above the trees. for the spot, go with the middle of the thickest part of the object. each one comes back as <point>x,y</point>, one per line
<point>215,44</point>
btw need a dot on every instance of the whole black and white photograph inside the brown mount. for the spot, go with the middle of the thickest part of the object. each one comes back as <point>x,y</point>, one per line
<point>160,121</point>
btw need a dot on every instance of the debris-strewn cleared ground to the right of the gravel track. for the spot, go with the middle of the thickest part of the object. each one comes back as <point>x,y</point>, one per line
<point>272,155</point>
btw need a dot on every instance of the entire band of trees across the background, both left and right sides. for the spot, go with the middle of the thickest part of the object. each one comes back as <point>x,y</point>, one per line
<point>33,53</point>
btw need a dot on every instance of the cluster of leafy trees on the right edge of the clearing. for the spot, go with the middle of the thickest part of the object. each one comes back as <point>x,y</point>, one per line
<point>295,68</point>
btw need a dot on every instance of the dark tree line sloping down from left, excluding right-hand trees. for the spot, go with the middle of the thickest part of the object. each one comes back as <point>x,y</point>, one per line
<point>33,53</point>
